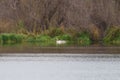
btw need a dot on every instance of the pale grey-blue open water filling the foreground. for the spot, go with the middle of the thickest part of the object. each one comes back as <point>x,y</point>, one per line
<point>59,66</point>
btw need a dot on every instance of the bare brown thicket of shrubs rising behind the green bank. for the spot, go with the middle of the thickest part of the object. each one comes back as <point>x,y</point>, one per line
<point>77,14</point>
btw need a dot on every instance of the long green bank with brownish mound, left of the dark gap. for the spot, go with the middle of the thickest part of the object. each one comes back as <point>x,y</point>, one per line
<point>47,38</point>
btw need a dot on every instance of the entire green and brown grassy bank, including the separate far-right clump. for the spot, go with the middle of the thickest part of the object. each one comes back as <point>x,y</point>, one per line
<point>50,36</point>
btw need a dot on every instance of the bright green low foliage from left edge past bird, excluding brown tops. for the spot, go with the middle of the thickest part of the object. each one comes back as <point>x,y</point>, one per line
<point>81,38</point>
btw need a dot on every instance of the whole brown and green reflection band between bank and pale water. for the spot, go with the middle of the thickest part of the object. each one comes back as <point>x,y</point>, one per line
<point>48,48</point>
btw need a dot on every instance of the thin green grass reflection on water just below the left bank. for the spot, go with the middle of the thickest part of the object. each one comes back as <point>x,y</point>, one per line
<point>42,44</point>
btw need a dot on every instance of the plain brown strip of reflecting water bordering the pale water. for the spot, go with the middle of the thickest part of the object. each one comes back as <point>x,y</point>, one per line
<point>60,50</point>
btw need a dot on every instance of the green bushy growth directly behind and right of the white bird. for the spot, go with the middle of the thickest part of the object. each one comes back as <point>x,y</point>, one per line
<point>80,38</point>
